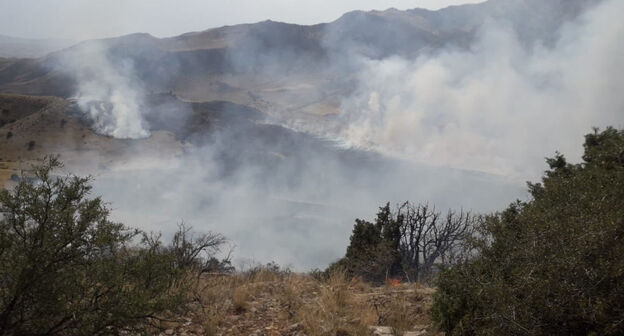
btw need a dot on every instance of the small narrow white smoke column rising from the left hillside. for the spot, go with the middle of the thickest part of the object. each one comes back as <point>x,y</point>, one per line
<point>108,92</point>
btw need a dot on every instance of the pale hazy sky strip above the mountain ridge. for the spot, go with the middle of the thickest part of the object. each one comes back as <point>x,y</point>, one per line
<point>83,19</point>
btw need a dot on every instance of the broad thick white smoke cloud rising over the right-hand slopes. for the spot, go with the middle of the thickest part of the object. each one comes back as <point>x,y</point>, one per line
<point>498,107</point>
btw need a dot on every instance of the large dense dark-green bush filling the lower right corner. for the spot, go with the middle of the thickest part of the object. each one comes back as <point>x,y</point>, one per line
<point>552,265</point>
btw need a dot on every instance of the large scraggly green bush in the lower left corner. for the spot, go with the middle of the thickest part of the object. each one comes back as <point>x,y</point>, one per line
<point>66,269</point>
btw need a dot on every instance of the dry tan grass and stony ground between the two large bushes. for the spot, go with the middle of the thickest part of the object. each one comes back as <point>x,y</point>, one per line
<point>282,303</point>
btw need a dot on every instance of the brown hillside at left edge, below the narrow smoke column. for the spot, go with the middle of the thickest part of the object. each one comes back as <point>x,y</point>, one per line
<point>32,127</point>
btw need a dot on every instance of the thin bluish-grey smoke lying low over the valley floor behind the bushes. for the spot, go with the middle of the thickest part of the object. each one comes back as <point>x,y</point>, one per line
<point>293,202</point>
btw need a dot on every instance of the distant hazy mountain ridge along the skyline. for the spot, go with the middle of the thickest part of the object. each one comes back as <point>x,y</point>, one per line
<point>193,64</point>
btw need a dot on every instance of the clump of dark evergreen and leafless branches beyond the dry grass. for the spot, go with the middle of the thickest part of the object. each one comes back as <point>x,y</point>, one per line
<point>405,243</point>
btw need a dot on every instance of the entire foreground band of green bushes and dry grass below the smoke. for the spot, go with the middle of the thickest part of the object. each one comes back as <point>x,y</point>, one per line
<point>551,265</point>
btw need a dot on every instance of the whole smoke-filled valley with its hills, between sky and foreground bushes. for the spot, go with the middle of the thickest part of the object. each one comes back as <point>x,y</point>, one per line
<point>279,135</point>
